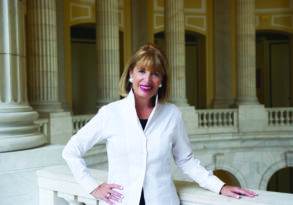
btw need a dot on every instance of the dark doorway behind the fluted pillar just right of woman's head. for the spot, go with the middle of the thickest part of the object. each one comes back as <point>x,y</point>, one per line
<point>194,66</point>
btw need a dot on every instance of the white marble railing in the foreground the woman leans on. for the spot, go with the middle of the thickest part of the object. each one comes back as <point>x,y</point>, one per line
<point>57,182</point>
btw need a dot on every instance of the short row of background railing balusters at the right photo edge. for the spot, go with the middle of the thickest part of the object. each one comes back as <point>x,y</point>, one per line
<point>280,116</point>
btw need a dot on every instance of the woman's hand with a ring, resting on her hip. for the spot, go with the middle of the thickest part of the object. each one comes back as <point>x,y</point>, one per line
<point>106,193</point>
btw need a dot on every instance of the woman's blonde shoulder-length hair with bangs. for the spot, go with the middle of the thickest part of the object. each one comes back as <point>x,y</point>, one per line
<point>152,58</point>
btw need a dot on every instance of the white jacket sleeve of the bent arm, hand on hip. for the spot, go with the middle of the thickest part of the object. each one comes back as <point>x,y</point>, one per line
<point>90,134</point>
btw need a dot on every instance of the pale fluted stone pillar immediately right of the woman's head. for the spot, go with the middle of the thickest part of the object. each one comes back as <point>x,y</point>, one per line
<point>175,50</point>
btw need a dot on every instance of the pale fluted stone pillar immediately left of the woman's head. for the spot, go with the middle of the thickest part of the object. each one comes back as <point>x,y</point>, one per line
<point>107,41</point>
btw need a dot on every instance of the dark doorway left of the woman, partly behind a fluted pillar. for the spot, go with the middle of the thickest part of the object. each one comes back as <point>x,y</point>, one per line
<point>84,67</point>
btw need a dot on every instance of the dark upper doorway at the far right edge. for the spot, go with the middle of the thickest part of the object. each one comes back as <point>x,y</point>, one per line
<point>273,69</point>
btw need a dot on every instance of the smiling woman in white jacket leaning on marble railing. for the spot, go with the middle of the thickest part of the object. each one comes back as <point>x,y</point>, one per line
<point>143,132</point>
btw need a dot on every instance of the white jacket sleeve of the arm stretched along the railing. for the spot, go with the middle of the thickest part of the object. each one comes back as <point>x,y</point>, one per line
<point>190,166</point>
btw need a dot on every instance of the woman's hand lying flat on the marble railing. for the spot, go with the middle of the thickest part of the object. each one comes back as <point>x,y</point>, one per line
<point>236,192</point>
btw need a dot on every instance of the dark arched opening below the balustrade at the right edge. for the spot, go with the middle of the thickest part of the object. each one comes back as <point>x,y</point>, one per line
<point>282,181</point>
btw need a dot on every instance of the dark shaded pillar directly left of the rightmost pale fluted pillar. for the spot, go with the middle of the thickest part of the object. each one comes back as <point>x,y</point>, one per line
<point>223,54</point>
